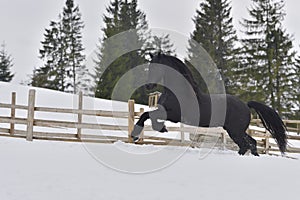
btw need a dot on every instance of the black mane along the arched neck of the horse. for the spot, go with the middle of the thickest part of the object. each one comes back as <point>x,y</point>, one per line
<point>178,65</point>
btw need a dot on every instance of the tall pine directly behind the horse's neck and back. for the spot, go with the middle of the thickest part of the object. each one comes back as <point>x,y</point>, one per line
<point>215,33</point>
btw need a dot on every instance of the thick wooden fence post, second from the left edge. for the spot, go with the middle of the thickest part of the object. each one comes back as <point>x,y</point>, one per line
<point>30,115</point>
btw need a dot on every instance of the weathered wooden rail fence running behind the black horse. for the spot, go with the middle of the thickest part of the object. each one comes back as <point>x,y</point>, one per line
<point>188,136</point>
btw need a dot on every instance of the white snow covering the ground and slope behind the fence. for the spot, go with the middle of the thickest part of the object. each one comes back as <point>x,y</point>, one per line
<point>60,170</point>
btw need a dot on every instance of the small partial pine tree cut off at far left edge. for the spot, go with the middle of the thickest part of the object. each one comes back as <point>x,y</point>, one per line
<point>5,65</point>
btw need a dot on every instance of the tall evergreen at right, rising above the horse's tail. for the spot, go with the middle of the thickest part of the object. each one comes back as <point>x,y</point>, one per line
<point>268,58</point>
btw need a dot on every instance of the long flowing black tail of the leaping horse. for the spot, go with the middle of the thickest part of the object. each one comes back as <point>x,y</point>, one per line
<point>272,122</point>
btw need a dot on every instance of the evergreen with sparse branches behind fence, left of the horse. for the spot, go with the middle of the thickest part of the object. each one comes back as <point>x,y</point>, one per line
<point>62,53</point>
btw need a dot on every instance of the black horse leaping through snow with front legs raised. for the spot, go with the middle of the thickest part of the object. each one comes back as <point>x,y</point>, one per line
<point>182,101</point>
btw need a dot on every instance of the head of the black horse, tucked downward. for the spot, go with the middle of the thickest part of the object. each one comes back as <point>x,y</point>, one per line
<point>156,70</point>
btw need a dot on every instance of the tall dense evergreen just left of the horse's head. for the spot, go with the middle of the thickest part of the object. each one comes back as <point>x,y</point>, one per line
<point>121,16</point>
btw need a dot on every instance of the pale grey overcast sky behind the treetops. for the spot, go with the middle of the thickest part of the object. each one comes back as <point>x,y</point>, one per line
<point>22,23</point>
